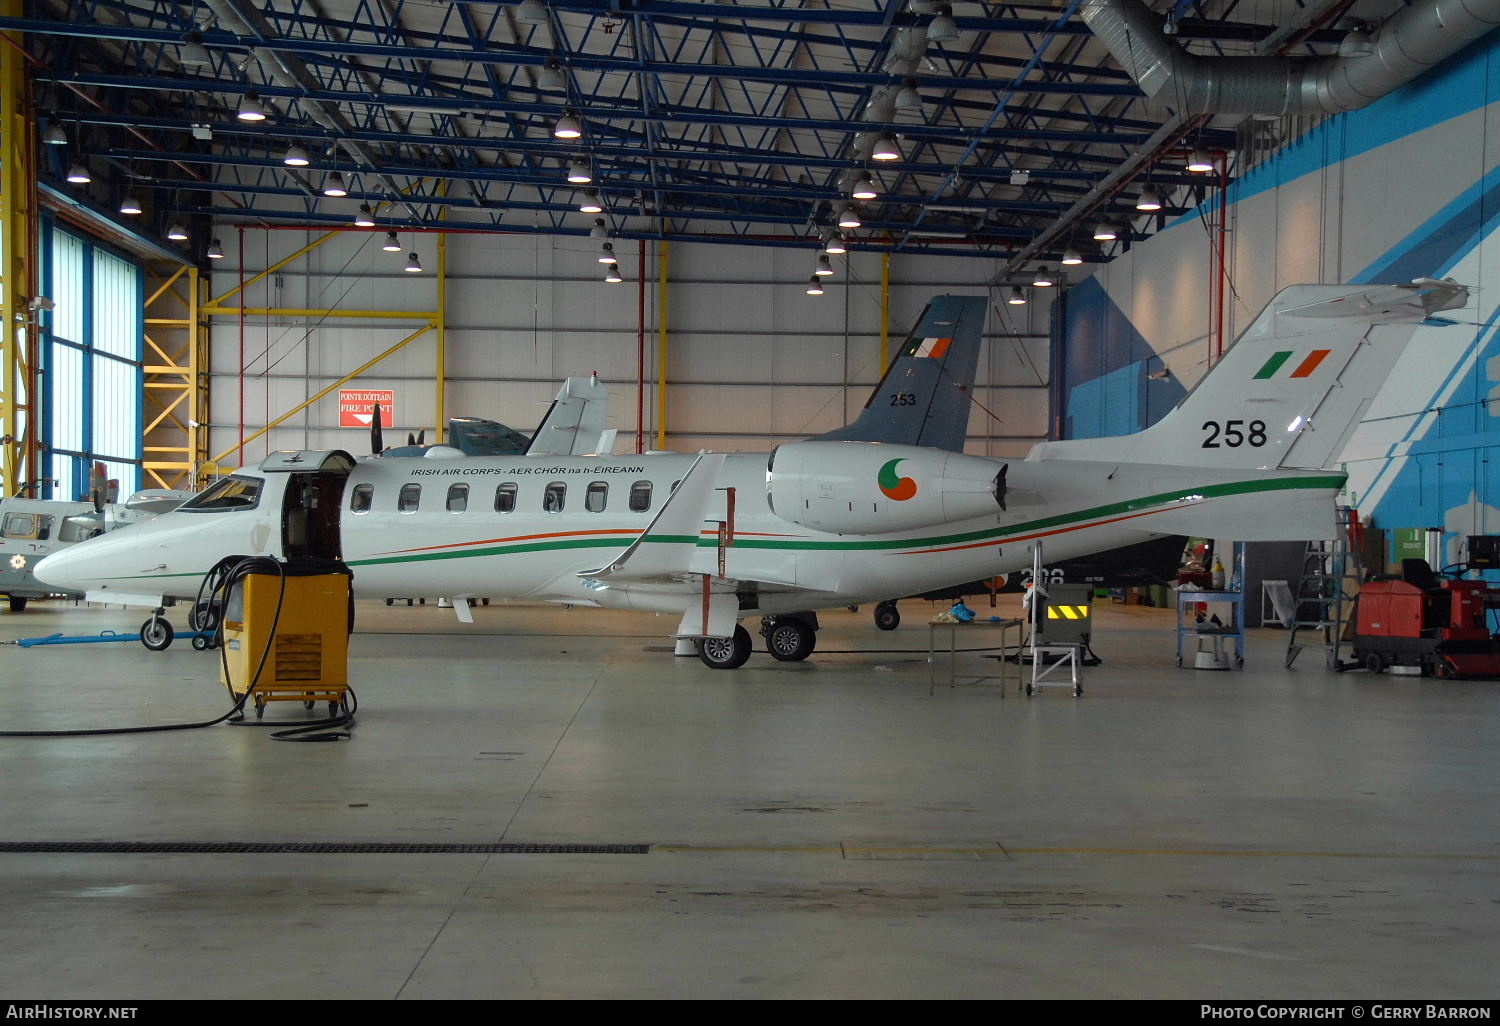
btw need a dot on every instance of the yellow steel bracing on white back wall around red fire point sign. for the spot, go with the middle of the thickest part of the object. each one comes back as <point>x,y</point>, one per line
<point>434,322</point>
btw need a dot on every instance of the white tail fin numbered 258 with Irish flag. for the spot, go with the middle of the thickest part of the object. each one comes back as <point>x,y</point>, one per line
<point>1292,389</point>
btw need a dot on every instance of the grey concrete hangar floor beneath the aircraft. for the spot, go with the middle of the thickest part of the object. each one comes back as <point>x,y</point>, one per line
<point>788,830</point>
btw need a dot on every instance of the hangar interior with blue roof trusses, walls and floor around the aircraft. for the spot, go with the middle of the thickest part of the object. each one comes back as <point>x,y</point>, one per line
<point>197,212</point>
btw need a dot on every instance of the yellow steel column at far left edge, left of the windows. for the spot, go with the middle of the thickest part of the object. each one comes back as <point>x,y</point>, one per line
<point>17,257</point>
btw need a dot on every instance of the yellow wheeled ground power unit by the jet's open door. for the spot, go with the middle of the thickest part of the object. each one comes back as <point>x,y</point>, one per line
<point>287,634</point>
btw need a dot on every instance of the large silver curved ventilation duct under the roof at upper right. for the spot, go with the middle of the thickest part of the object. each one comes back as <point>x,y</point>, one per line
<point>1406,46</point>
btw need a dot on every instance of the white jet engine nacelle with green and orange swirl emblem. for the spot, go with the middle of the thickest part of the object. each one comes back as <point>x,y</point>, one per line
<point>872,488</point>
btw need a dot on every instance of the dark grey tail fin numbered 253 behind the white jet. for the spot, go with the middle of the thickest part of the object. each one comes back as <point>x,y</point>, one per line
<point>925,398</point>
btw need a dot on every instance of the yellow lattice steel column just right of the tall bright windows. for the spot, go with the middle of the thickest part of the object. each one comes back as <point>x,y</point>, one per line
<point>176,383</point>
